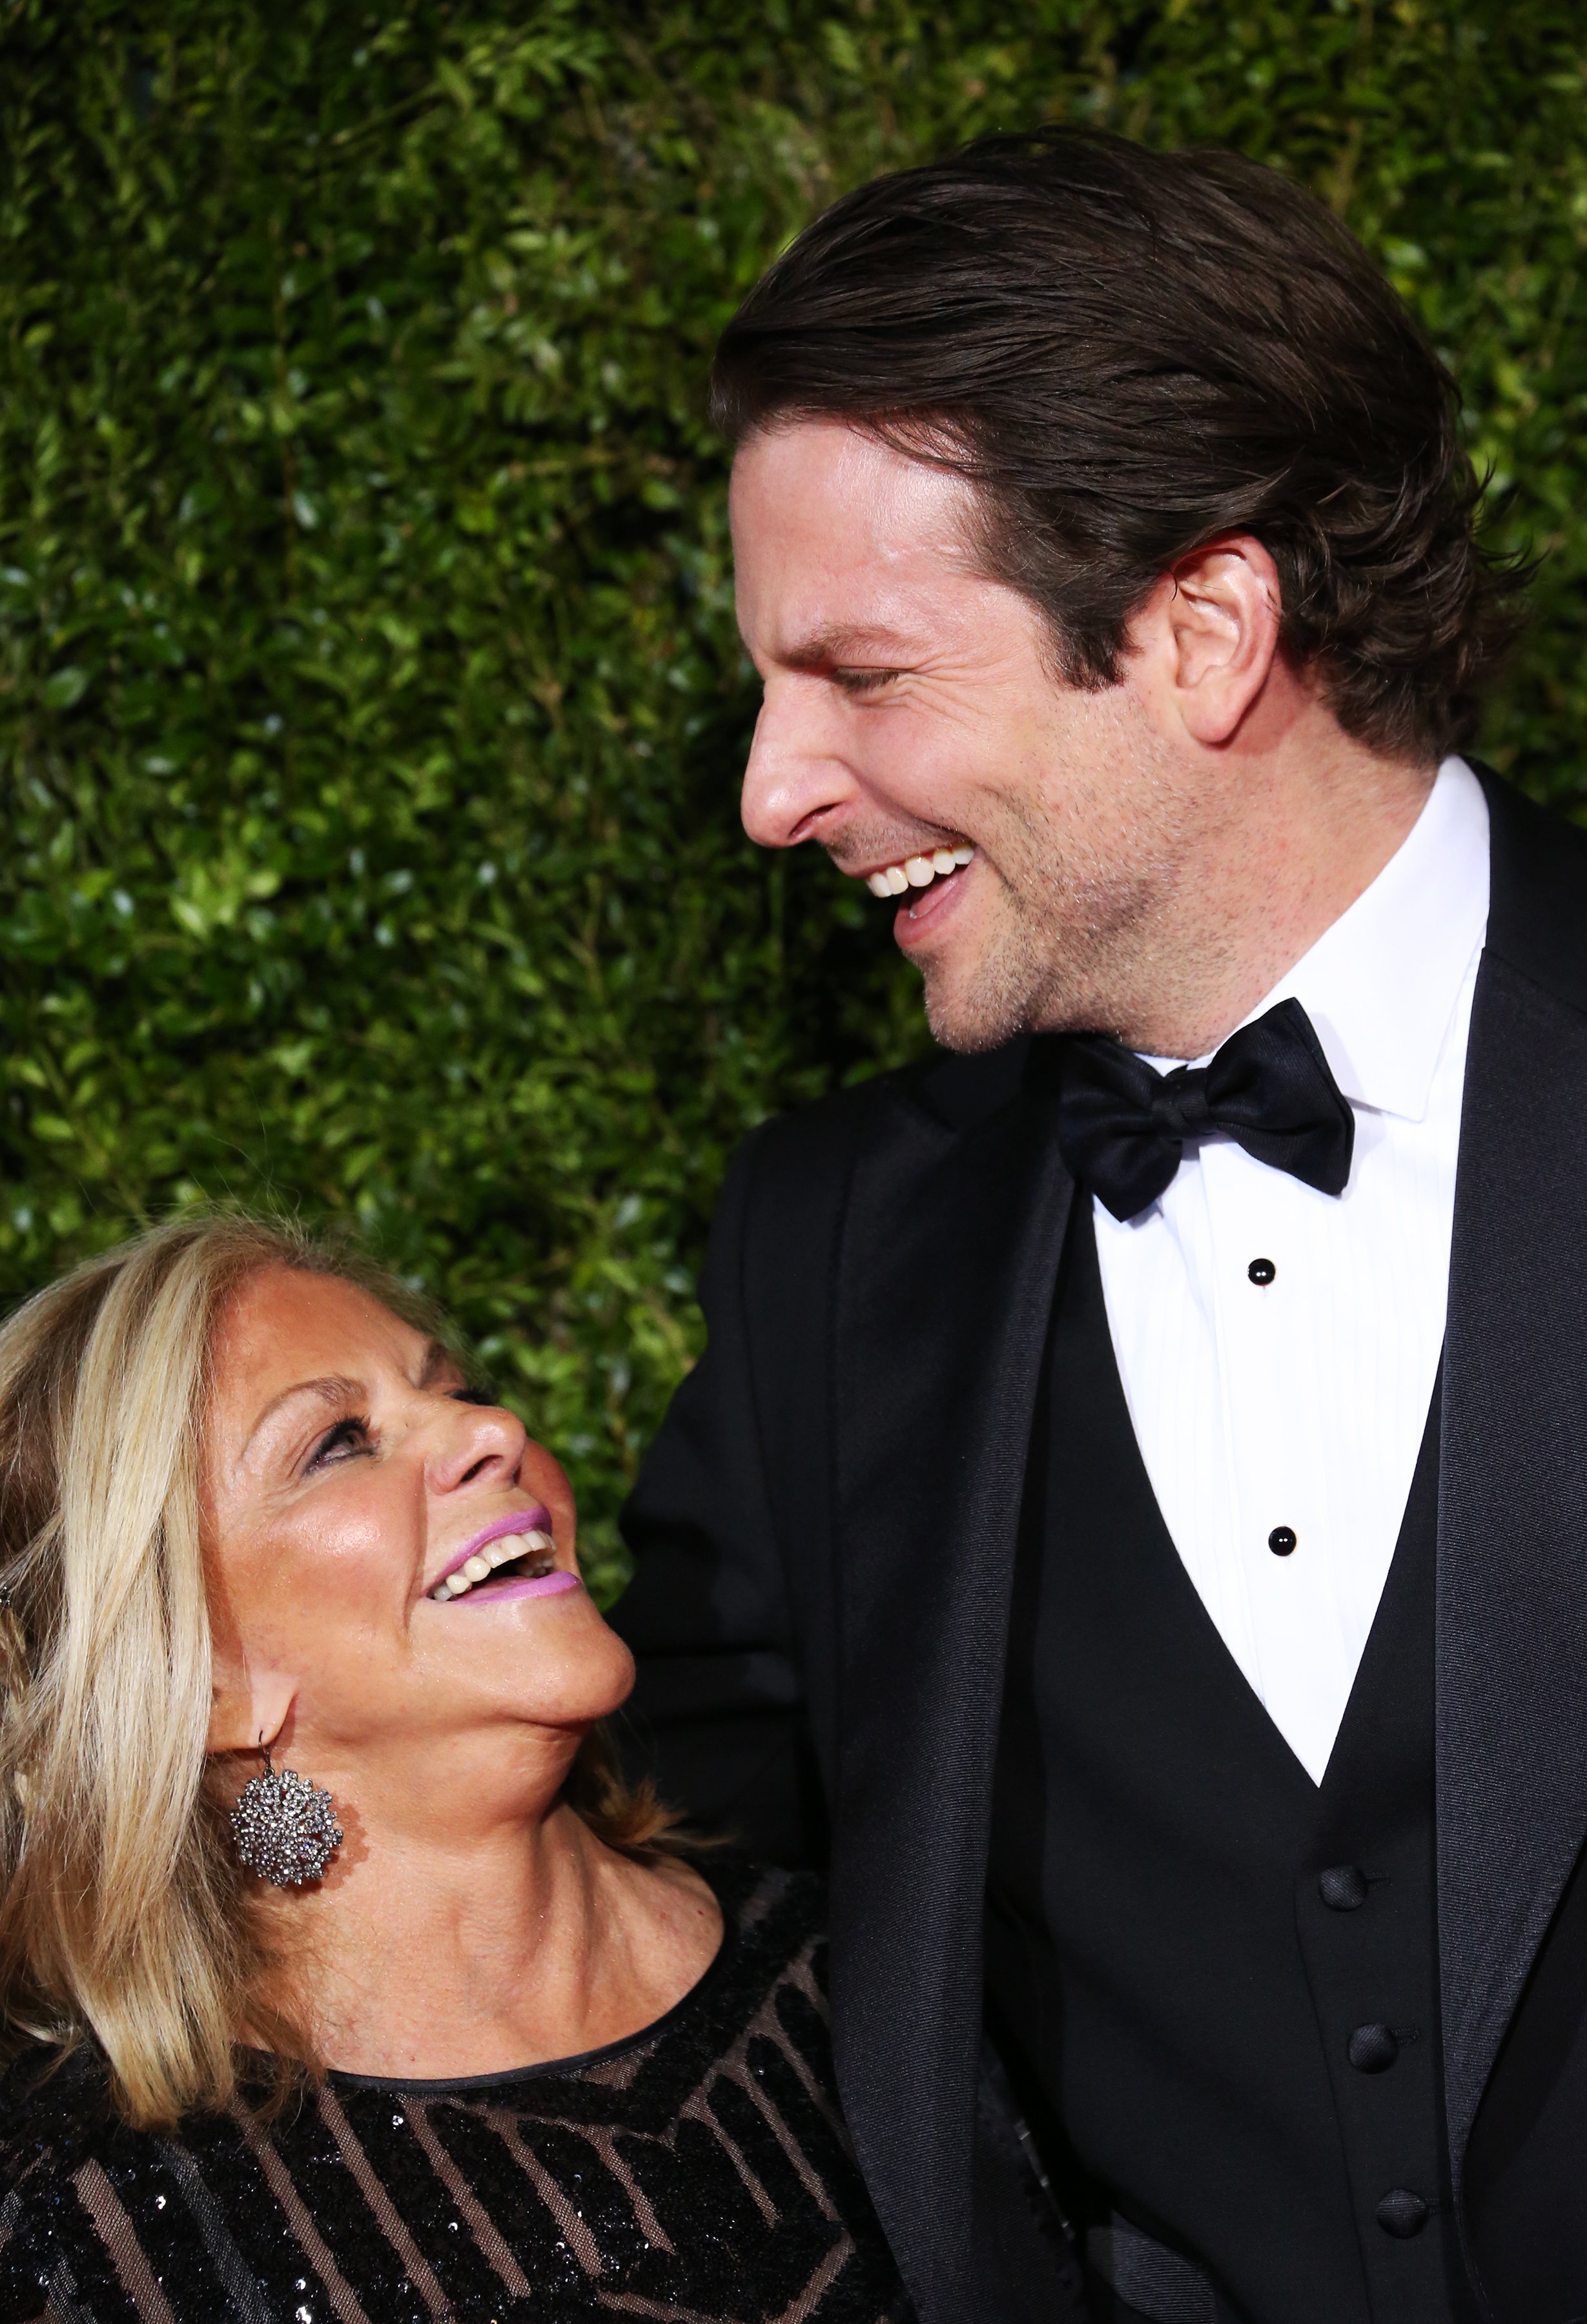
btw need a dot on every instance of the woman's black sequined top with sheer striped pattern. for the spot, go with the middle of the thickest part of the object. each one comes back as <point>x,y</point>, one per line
<point>698,2172</point>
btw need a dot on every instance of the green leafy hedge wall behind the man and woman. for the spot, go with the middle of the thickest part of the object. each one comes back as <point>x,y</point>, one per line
<point>371,703</point>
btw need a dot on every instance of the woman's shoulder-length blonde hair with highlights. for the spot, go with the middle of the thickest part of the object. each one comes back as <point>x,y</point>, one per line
<point>122,1907</point>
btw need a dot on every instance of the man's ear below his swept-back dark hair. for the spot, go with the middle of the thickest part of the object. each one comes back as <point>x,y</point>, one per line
<point>1212,636</point>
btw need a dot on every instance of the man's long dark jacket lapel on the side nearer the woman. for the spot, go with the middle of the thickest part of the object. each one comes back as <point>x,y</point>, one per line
<point>947,1284</point>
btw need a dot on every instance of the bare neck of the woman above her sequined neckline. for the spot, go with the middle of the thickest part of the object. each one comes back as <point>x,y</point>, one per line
<point>440,1956</point>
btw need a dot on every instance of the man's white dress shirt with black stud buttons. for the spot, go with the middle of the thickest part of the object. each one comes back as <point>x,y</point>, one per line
<point>1302,1403</point>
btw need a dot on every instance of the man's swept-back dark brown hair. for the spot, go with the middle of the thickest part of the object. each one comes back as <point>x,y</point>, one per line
<point>1133,354</point>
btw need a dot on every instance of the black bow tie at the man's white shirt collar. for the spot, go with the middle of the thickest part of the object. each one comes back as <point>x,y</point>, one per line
<point>1123,1126</point>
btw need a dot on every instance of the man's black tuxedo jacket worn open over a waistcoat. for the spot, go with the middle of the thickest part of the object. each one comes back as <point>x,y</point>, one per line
<point>826,1540</point>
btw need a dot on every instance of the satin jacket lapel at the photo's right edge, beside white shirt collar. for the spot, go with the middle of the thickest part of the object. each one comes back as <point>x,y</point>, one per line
<point>1514,1458</point>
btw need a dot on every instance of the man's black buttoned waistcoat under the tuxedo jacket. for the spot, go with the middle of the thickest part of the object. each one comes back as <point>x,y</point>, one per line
<point>1216,1984</point>
